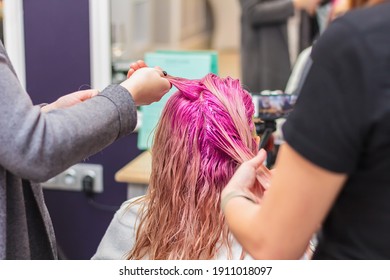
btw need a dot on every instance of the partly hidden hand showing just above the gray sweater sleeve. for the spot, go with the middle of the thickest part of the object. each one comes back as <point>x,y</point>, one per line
<point>70,99</point>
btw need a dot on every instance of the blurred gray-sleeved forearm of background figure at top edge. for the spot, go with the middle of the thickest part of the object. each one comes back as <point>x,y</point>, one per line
<point>267,12</point>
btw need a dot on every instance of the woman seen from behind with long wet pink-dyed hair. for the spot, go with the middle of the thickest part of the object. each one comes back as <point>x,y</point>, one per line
<point>205,132</point>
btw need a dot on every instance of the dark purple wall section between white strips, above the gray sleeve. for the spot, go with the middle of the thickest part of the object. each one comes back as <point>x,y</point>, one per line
<point>57,47</point>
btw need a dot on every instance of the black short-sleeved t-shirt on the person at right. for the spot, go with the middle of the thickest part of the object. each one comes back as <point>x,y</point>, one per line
<point>341,122</point>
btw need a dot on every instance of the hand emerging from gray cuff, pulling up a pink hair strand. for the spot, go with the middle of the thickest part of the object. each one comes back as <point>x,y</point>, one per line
<point>147,85</point>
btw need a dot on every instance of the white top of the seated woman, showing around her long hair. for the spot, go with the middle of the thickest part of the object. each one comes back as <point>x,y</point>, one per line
<point>120,236</point>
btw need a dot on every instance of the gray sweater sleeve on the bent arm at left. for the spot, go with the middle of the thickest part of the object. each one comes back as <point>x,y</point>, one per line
<point>37,146</point>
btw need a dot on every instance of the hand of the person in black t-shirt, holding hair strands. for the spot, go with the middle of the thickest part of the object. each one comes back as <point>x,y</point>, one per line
<point>244,178</point>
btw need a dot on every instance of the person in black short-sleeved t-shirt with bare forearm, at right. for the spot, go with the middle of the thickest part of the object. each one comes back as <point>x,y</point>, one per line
<point>332,174</point>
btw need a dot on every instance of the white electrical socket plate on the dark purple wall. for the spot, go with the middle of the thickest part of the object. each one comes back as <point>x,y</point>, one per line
<point>72,178</point>
